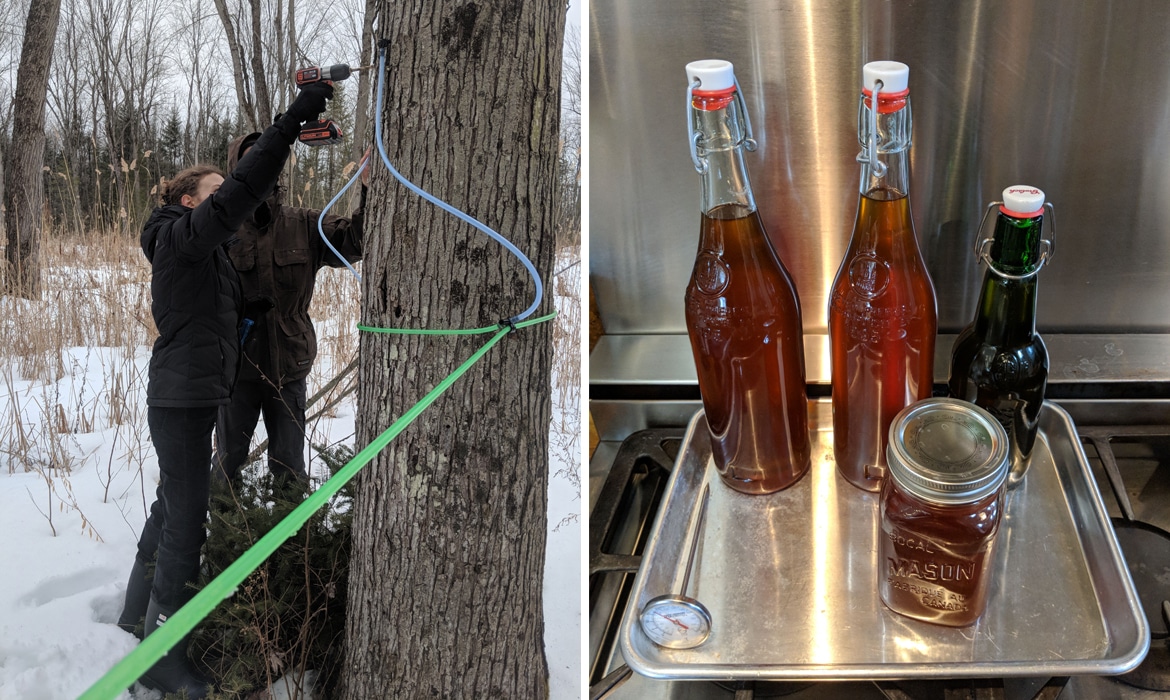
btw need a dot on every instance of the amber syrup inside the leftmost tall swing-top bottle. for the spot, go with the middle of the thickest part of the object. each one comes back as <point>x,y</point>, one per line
<point>744,318</point>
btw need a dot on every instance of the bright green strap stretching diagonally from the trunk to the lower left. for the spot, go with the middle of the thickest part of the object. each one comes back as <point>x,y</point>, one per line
<point>153,649</point>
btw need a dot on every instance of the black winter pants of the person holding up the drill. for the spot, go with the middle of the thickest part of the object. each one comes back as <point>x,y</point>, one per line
<point>175,532</point>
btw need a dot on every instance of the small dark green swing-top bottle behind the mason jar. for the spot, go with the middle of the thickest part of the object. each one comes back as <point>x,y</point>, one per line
<point>1000,361</point>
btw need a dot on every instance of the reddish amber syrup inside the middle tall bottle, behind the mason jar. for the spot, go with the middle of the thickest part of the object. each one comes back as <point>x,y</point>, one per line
<point>883,325</point>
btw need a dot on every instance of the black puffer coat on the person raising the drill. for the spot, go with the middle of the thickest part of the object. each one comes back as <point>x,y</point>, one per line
<point>197,303</point>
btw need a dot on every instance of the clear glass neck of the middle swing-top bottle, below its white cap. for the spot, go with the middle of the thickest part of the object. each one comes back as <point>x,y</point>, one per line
<point>885,160</point>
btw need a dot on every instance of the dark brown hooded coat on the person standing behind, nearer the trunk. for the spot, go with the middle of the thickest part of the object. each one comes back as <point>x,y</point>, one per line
<point>278,255</point>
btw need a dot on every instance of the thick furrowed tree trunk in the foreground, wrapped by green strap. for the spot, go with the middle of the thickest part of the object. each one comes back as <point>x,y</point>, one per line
<point>450,520</point>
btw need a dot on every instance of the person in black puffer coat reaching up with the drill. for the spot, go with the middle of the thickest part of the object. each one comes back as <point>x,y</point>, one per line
<point>197,306</point>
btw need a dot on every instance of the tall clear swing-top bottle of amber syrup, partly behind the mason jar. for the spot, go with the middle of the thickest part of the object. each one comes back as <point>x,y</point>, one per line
<point>883,317</point>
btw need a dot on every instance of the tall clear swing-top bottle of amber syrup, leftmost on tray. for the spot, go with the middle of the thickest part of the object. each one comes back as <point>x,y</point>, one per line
<point>744,315</point>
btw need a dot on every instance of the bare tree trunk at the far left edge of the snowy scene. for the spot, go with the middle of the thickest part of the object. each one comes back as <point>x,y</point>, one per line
<point>24,181</point>
